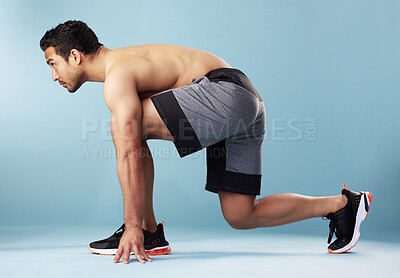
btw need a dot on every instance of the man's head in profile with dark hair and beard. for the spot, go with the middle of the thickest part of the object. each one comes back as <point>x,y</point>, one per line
<point>64,47</point>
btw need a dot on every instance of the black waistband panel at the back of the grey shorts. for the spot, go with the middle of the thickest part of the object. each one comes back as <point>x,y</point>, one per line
<point>233,75</point>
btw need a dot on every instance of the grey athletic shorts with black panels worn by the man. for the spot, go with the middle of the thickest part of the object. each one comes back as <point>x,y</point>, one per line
<point>224,113</point>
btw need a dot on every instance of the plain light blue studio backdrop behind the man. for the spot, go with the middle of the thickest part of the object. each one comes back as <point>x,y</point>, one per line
<point>328,72</point>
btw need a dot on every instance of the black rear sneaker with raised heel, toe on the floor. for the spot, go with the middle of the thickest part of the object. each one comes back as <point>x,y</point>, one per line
<point>345,223</point>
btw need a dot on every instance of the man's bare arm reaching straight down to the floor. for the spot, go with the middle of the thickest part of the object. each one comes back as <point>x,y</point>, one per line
<point>122,99</point>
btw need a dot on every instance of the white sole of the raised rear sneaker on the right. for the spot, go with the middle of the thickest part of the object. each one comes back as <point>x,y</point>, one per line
<point>362,213</point>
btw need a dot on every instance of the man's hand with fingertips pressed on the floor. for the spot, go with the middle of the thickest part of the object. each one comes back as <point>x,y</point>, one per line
<point>131,241</point>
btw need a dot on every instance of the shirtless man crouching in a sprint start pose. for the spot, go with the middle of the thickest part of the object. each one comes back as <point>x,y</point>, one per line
<point>196,100</point>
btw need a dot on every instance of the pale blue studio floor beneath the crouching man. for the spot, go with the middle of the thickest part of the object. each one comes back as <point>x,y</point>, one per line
<point>61,251</point>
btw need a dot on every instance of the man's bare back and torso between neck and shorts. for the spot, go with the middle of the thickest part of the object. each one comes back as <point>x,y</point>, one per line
<point>159,67</point>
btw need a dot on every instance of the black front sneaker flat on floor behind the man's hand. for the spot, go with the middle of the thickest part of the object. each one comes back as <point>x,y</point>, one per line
<point>154,243</point>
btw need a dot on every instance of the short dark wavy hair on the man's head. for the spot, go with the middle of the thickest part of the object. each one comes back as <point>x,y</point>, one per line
<point>72,34</point>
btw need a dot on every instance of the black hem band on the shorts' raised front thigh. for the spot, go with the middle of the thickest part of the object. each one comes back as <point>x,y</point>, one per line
<point>185,139</point>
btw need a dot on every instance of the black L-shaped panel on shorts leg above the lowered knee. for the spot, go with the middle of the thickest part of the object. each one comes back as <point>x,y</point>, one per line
<point>219,179</point>
